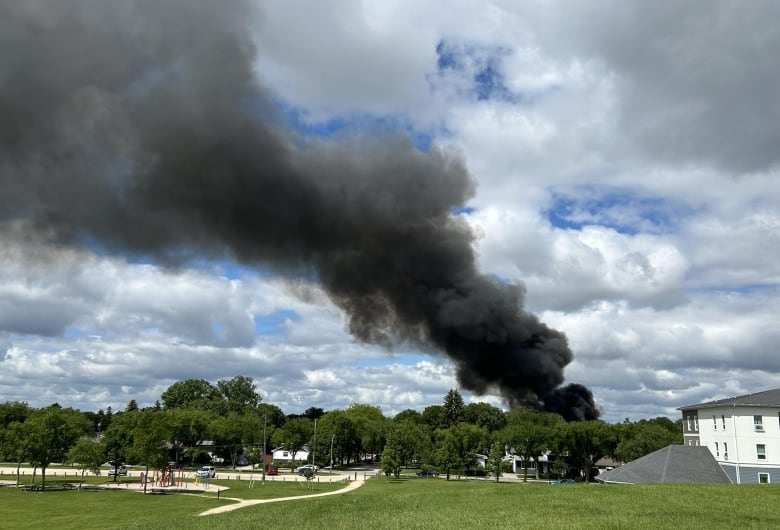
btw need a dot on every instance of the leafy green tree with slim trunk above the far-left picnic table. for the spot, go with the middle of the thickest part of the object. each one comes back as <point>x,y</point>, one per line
<point>50,433</point>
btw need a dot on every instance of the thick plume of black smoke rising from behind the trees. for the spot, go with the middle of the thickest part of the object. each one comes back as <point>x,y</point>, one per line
<point>138,125</point>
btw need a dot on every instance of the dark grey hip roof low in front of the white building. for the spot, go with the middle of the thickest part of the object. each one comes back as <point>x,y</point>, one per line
<point>673,463</point>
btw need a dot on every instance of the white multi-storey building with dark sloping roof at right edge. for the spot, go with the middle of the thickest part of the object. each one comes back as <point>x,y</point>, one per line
<point>741,432</point>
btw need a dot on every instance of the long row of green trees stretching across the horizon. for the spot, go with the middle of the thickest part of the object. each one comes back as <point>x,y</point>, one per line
<point>238,424</point>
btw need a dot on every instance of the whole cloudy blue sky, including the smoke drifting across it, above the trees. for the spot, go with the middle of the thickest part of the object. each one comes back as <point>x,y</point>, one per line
<point>609,165</point>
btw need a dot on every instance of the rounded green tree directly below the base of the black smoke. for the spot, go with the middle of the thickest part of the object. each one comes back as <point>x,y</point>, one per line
<point>586,442</point>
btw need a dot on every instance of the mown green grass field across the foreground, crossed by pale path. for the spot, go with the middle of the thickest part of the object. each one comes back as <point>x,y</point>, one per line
<point>408,504</point>
